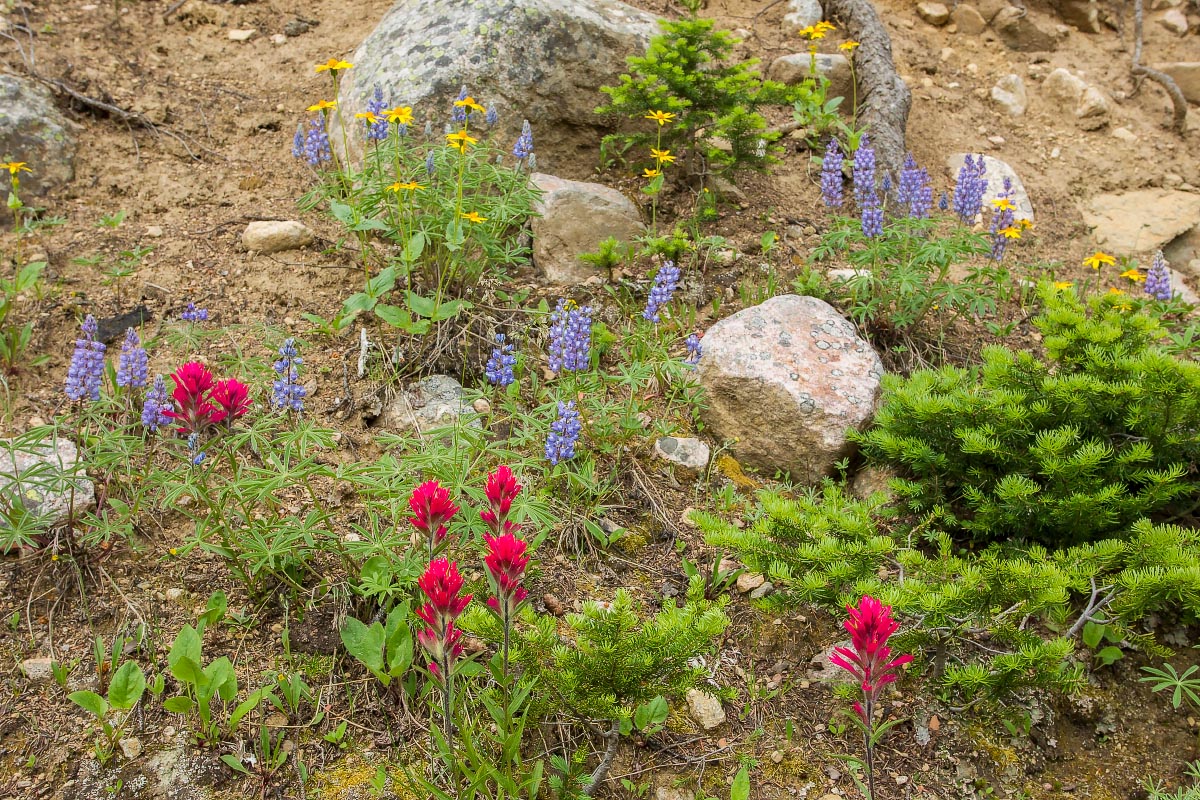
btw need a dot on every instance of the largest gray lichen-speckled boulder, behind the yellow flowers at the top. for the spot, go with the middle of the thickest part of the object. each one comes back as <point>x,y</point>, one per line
<point>541,61</point>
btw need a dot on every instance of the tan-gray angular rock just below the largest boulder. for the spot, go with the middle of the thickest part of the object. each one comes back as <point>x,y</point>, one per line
<point>573,219</point>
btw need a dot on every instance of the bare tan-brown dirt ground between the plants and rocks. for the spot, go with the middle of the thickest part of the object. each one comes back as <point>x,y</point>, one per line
<point>223,158</point>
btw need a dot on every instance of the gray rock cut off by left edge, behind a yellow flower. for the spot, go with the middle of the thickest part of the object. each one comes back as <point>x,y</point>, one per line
<point>33,130</point>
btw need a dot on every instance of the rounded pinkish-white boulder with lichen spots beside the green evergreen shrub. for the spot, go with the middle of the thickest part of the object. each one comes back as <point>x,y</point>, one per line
<point>785,381</point>
